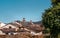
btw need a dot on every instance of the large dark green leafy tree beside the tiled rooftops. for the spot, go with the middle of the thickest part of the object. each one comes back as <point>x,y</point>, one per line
<point>51,18</point>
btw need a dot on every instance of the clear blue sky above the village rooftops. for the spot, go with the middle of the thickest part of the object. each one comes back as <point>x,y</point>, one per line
<point>11,10</point>
